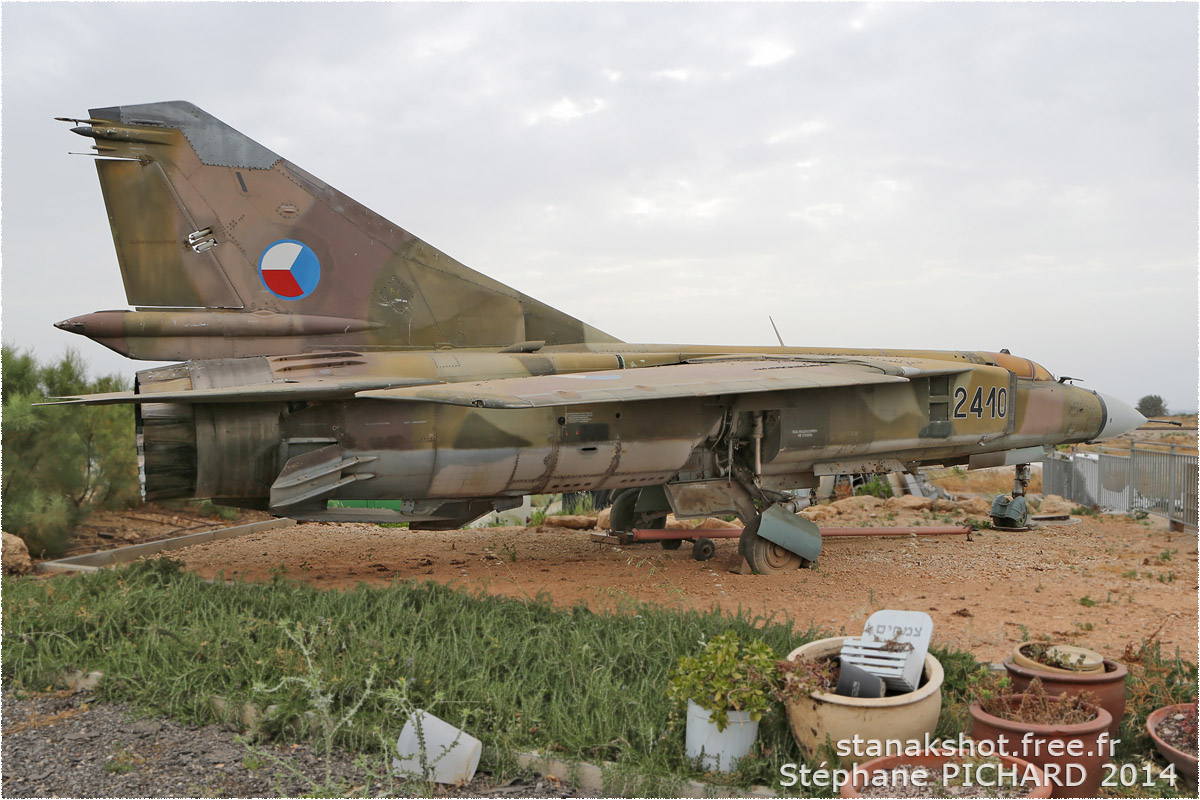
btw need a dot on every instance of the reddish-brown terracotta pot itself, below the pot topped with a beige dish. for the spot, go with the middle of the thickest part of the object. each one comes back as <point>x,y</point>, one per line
<point>1071,777</point>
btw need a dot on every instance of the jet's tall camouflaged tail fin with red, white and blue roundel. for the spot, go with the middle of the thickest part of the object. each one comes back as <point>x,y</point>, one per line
<point>253,256</point>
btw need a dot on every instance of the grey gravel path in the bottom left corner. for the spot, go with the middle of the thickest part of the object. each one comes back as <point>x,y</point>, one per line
<point>67,745</point>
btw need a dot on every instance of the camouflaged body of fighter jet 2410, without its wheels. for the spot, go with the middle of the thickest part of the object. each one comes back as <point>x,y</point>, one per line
<point>404,375</point>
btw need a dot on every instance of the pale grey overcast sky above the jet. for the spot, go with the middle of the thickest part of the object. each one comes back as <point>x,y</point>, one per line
<point>946,176</point>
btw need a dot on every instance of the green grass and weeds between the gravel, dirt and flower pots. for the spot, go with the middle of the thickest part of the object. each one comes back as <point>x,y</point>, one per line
<point>518,675</point>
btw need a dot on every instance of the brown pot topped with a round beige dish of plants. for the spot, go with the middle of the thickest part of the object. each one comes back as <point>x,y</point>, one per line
<point>1065,670</point>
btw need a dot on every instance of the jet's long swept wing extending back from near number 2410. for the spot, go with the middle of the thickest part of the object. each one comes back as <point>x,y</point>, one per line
<point>709,380</point>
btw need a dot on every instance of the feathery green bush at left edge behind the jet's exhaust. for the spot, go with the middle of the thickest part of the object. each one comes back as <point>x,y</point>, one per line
<point>61,464</point>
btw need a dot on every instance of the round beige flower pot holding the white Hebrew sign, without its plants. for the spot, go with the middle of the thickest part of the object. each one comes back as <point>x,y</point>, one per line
<point>827,717</point>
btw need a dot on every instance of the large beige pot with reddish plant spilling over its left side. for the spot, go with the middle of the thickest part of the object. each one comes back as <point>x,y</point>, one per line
<point>821,720</point>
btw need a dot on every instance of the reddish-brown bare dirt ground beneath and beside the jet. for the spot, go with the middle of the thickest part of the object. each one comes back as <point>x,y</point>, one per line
<point>1102,582</point>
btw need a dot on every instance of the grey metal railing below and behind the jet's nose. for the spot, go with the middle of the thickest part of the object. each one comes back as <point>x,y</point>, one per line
<point>1154,480</point>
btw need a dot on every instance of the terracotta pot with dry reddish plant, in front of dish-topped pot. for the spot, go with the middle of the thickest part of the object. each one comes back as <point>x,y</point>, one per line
<point>1042,727</point>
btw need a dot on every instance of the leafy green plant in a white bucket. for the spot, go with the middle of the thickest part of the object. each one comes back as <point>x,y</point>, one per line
<point>727,689</point>
